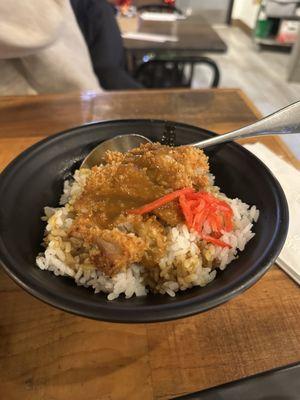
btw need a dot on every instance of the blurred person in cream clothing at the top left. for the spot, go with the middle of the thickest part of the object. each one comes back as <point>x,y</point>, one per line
<point>42,49</point>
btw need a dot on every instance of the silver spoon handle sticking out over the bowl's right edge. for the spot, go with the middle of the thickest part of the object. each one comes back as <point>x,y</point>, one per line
<point>284,121</point>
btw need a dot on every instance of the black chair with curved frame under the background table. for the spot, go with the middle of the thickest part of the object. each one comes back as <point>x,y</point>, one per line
<point>163,73</point>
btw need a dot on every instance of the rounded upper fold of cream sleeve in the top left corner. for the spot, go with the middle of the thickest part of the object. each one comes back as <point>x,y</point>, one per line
<point>27,26</point>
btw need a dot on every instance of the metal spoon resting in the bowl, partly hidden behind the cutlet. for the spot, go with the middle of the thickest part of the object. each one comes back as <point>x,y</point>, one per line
<point>284,121</point>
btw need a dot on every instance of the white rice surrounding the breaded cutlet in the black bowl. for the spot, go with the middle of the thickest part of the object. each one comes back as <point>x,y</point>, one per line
<point>182,252</point>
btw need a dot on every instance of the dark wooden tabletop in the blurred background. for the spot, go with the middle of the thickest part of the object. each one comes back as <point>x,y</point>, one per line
<point>194,35</point>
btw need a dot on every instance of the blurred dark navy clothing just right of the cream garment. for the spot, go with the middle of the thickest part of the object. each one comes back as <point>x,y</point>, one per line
<point>102,35</point>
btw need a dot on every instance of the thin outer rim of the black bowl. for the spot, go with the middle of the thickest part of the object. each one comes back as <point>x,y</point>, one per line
<point>187,307</point>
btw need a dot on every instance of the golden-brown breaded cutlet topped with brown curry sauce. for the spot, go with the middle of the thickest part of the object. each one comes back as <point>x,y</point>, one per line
<point>127,181</point>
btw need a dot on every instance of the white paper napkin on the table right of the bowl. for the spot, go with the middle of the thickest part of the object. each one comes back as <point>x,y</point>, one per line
<point>289,178</point>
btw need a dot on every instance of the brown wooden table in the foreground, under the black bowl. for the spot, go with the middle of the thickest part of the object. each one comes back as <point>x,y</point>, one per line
<point>47,354</point>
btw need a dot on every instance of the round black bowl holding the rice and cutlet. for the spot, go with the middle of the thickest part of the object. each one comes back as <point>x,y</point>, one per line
<point>35,179</point>
